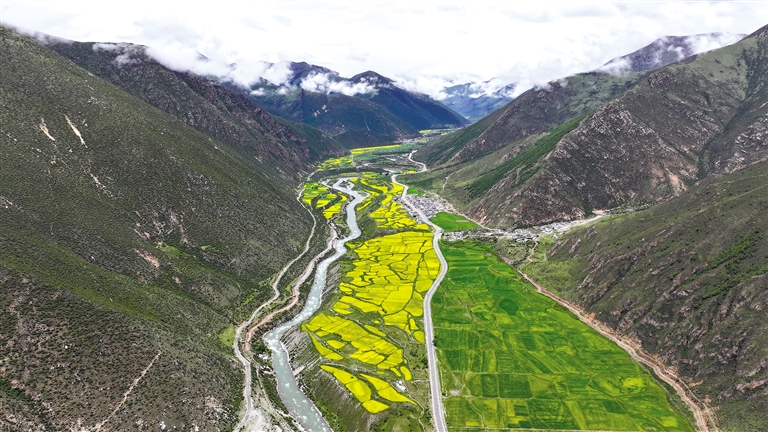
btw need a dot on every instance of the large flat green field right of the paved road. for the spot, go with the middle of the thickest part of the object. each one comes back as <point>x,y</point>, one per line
<point>512,358</point>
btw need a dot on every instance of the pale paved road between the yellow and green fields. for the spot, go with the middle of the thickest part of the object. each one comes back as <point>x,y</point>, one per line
<point>436,397</point>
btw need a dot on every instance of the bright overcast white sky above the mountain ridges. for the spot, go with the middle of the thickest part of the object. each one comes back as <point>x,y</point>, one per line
<point>423,43</point>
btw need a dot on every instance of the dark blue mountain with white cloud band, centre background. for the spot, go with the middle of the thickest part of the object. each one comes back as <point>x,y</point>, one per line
<point>367,109</point>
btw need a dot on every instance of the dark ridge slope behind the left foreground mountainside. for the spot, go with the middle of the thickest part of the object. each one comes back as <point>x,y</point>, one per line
<point>227,115</point>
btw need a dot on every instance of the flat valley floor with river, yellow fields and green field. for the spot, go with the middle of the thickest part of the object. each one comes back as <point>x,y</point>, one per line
<point>495,354</point>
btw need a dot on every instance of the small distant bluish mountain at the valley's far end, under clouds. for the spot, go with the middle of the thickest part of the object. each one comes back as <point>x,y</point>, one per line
<point>472,100</point>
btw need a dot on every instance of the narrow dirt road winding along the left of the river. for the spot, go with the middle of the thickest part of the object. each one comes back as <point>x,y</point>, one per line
<point>249,410</point>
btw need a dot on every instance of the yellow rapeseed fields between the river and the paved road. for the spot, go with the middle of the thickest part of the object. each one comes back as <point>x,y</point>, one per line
<point>360,335</point>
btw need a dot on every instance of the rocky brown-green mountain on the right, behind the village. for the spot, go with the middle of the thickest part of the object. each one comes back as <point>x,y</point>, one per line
<point>601,141</point>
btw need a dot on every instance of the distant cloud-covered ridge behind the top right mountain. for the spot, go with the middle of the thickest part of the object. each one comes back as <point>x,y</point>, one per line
<point>669,49</point>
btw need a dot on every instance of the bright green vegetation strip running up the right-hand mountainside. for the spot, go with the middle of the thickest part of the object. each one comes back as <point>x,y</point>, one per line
<point>526,162</point>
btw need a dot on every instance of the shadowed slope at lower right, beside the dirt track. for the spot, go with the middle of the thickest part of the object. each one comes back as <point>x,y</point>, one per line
<point>688,278</point>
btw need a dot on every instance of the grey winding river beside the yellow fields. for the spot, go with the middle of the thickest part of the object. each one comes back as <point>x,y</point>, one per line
<point>293,398</point>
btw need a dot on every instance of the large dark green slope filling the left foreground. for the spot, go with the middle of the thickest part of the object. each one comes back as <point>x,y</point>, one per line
<point>128,240</point>
